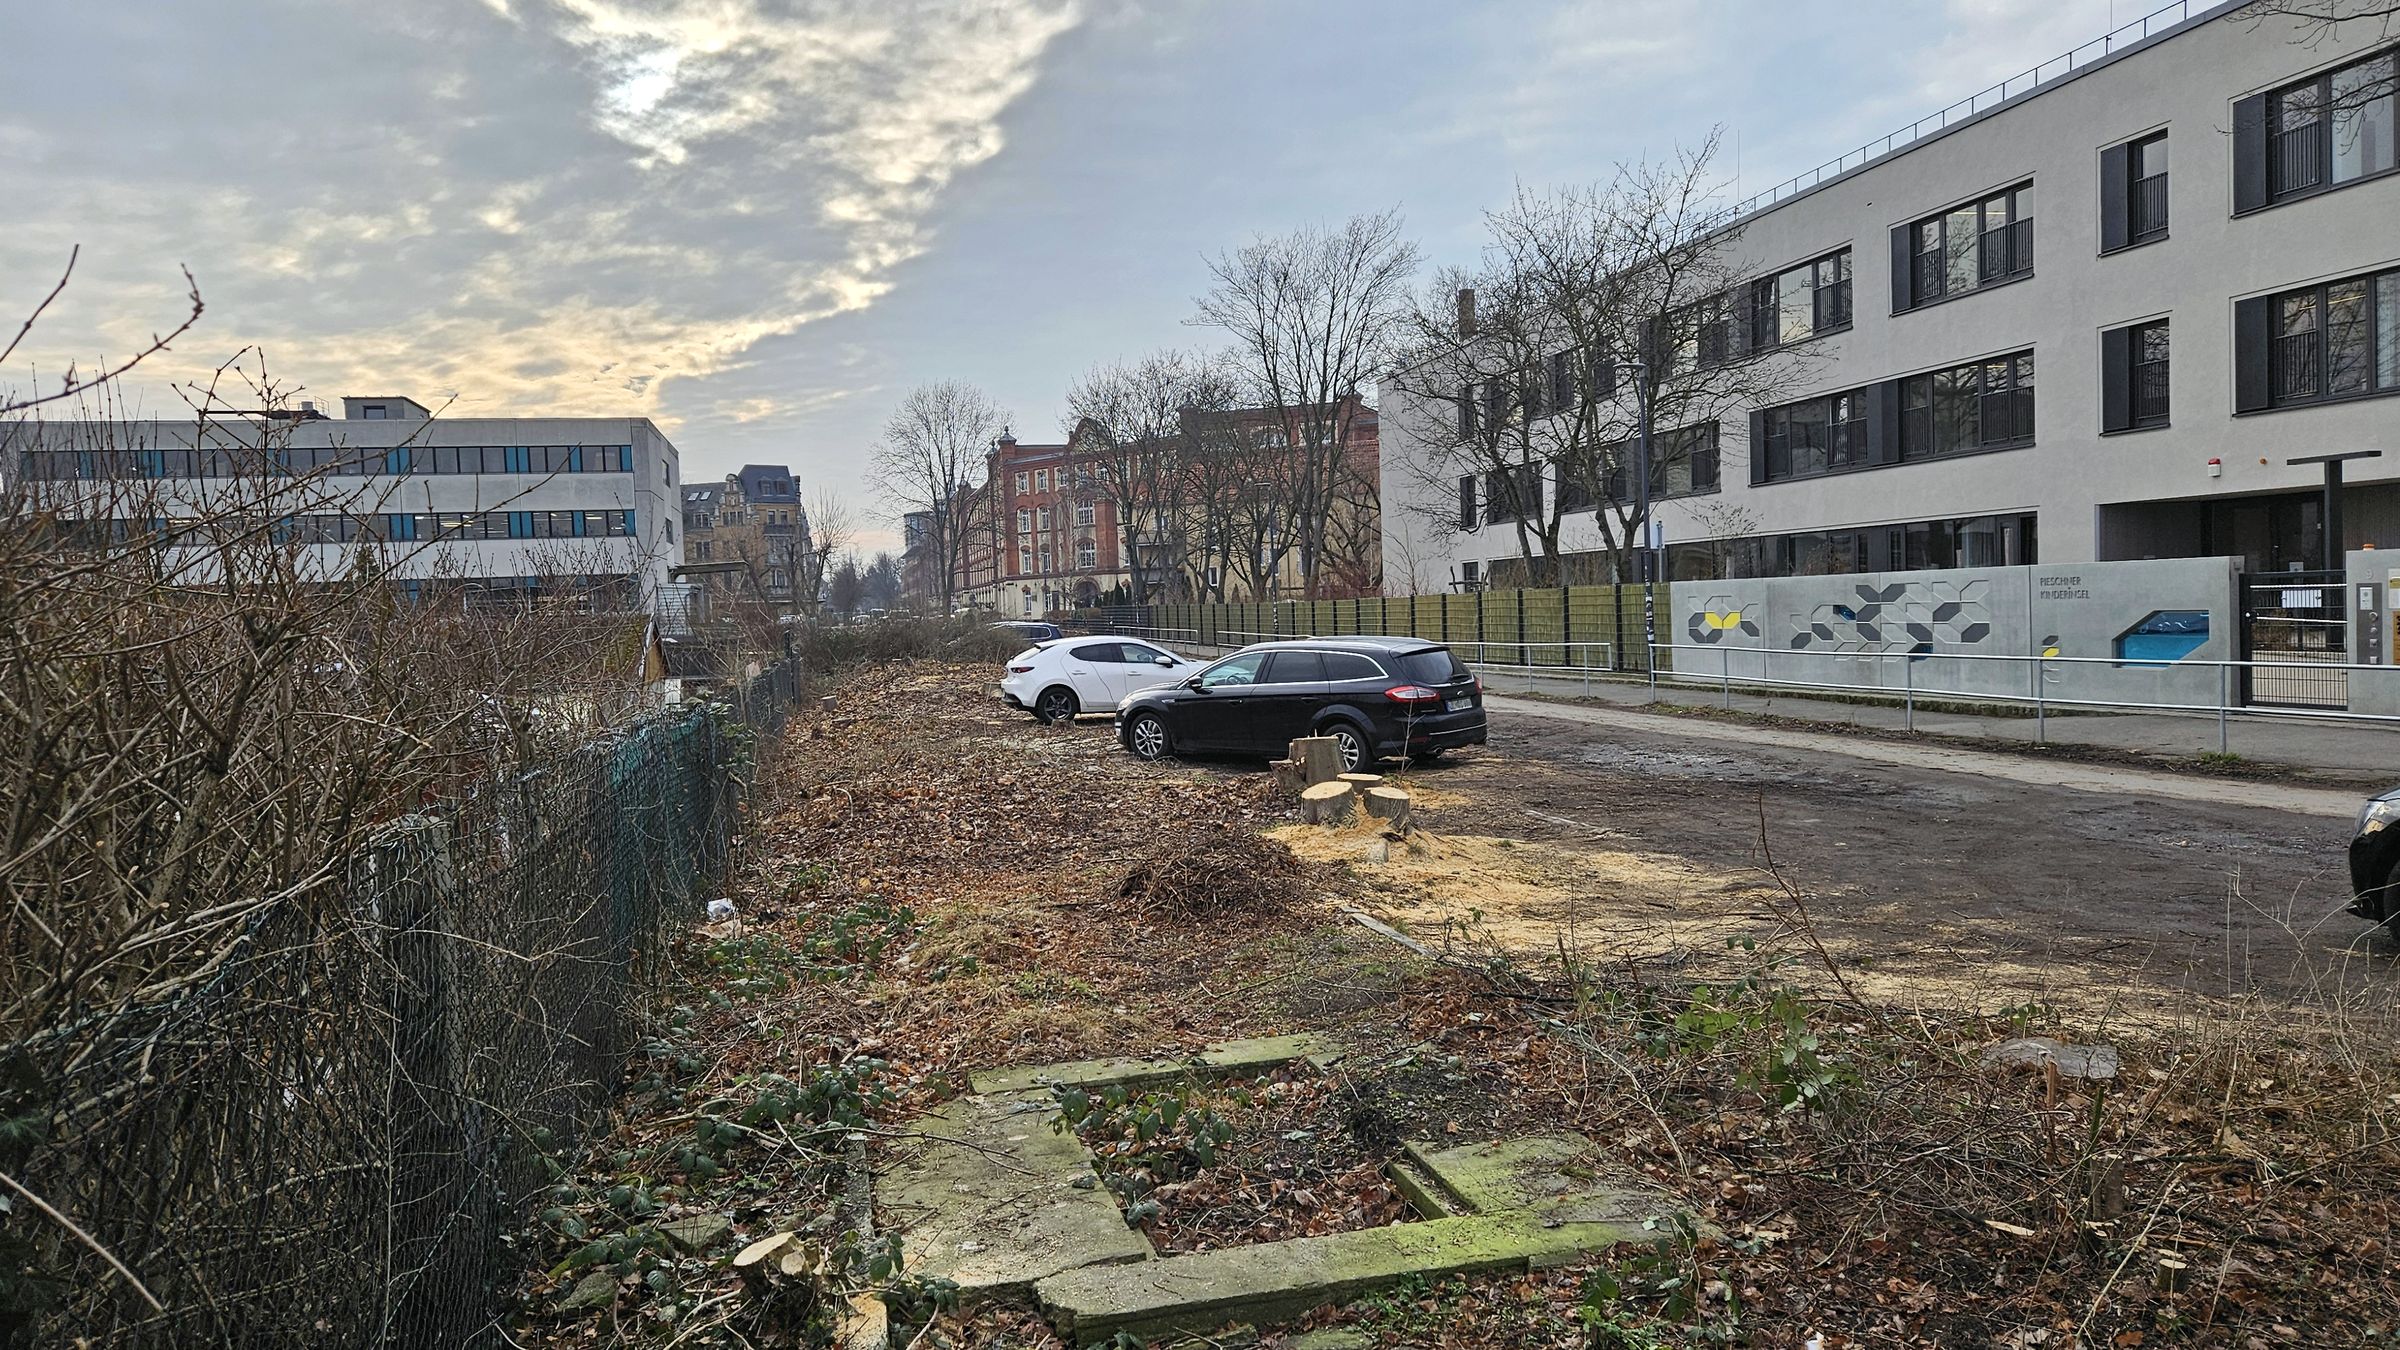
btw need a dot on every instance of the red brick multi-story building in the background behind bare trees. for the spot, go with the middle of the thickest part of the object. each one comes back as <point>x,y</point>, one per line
<point>1045,527</point>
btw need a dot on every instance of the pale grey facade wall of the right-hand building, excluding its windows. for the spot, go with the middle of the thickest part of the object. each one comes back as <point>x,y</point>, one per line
<point>2185,85</point>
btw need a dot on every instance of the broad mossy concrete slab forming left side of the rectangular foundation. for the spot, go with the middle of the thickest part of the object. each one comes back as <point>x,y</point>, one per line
<point>997,1200</point>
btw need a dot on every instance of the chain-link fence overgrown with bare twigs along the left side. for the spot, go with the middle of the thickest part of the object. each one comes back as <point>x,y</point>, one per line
<point>328,1135</point>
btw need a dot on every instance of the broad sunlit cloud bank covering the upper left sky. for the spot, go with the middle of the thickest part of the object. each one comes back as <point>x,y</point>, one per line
<point>544,205</point>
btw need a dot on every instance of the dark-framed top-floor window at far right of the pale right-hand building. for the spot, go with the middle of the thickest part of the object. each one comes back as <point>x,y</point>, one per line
<point>2322,133</point>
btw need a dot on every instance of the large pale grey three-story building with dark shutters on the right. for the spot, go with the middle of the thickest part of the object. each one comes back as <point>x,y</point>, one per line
<point>2104,313</point>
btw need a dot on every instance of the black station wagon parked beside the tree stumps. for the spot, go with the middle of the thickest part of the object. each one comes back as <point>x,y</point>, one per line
<point>1381,698</point>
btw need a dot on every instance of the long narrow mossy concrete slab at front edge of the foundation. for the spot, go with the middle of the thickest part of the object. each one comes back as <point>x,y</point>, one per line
<point>1278,1282</point>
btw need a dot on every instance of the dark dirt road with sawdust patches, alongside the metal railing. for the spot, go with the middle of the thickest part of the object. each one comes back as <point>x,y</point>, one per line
<point>1933,873</point>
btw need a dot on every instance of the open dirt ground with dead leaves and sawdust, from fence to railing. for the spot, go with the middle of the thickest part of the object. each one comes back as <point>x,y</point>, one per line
<point>1794,1053</point>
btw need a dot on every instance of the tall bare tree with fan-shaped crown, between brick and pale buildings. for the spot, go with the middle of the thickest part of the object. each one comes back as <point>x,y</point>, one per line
<point>1314,318</point>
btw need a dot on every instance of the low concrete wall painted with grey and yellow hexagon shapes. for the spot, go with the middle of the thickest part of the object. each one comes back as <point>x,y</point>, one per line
<point>1859,631</point>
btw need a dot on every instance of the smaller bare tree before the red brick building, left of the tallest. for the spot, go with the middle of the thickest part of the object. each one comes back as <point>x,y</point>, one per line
<point>1132,419</point>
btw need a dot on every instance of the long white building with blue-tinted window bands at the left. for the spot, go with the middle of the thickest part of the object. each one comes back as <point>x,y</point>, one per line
<point>481,506</point>
